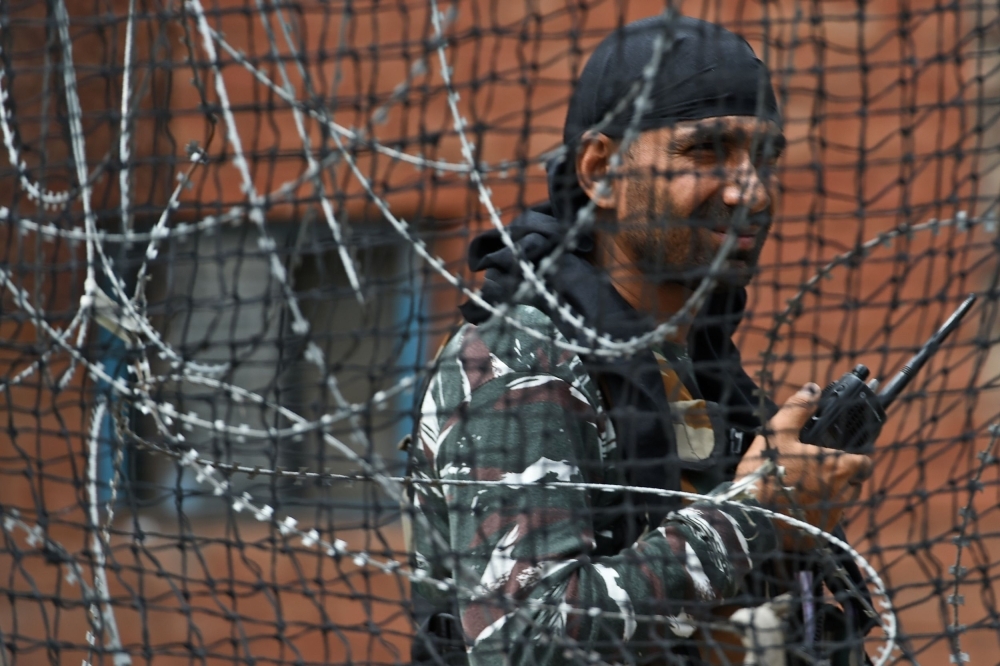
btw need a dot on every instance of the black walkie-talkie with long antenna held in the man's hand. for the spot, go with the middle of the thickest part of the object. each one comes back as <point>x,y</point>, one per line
<point>850,414</point>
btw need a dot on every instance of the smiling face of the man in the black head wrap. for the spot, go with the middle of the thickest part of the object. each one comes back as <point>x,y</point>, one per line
<point>684,187</point>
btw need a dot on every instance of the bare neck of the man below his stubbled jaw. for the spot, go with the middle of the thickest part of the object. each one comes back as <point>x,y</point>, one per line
<point>661,300</point>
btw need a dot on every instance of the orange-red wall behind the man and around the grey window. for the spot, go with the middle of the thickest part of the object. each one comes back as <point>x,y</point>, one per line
<point>880,114</point>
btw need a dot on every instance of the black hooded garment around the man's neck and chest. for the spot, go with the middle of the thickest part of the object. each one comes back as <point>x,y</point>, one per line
<point>632,385</point>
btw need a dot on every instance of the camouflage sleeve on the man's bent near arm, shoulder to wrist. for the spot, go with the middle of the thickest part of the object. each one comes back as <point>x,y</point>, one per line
<point>530,546</point>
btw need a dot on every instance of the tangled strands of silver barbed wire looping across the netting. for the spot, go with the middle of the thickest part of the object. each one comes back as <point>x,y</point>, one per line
<point>127,316</point>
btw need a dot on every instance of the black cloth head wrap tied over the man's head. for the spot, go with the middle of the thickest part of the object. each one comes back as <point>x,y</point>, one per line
<point>705,71</point>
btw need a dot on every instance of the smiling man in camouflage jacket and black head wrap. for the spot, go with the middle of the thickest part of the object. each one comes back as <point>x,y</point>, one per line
<point>553,574</point>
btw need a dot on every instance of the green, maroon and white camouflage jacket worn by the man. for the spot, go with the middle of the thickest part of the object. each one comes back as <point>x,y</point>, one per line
<point>544,580</point>
